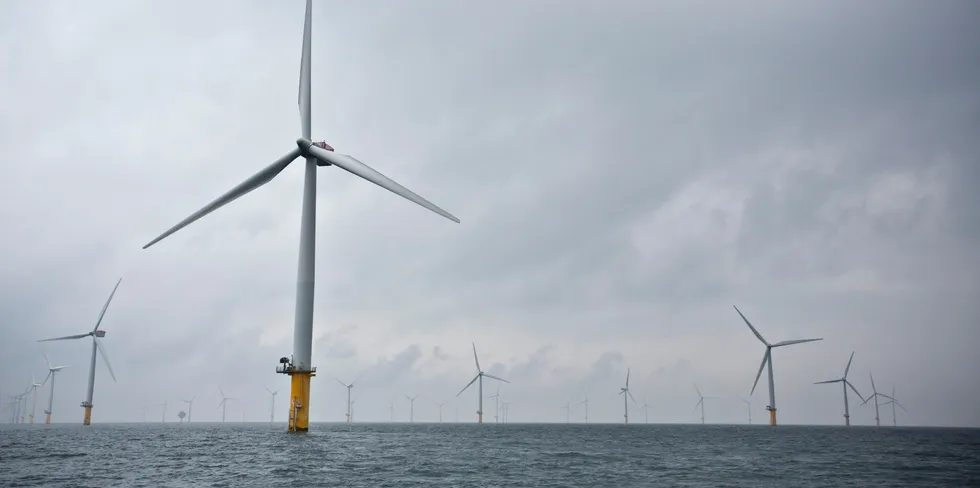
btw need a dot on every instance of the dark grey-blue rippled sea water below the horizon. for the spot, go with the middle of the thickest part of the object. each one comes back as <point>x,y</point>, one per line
<point>531,455</point>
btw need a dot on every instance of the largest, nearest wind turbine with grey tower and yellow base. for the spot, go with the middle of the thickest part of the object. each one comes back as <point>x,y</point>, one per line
<point>299,365</point>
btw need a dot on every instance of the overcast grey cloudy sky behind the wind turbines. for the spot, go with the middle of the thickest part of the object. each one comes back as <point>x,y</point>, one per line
<point>625,172</point>
